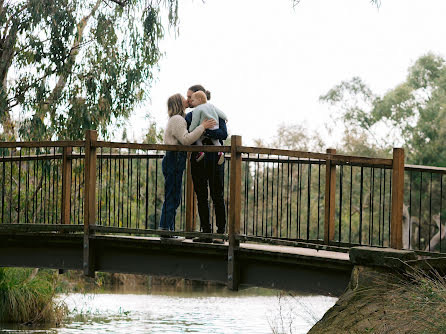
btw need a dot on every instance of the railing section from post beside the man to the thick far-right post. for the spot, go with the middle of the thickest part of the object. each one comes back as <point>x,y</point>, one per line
<point>316,197</point>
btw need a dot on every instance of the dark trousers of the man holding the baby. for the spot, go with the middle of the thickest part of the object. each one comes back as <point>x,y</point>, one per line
<point>208,173</point>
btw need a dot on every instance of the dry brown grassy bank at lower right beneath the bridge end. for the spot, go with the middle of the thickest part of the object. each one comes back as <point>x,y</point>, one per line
<point>415,303</point>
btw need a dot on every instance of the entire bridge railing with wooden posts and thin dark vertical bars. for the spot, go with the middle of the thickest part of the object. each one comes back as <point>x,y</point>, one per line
<point>270,195</point>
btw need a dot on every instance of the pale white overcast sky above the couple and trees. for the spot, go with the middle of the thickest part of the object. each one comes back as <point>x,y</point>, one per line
<point>266,63</point>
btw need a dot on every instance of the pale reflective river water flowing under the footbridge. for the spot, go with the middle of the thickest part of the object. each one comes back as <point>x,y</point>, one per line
<point>219,311</point>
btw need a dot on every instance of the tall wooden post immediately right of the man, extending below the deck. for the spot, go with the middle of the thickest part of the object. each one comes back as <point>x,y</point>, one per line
<point>234,212</point>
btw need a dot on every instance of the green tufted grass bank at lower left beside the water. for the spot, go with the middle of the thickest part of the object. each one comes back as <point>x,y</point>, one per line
<point>27,296</point>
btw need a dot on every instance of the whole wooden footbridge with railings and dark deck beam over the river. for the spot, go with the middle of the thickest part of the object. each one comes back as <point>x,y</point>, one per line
<point>292,216</point>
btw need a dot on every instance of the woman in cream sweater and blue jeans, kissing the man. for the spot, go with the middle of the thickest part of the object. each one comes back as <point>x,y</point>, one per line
<point>174,163</point>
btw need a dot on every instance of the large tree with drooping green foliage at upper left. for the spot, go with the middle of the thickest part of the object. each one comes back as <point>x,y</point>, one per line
<point>71,65</point>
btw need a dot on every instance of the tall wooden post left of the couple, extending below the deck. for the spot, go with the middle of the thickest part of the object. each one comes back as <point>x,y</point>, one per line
<point>89,199</point>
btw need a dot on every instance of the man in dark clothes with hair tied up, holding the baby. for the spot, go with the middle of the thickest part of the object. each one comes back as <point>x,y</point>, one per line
<point>207,173</point>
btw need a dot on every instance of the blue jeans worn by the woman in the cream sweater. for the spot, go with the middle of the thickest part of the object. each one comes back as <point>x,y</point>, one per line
<point>173,166</point>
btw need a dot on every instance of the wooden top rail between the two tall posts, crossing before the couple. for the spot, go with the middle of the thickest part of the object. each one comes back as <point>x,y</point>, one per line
<point>162,147</point>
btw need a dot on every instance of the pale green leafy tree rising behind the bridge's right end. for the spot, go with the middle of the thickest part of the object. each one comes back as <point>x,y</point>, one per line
<point>412,114</point>
